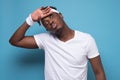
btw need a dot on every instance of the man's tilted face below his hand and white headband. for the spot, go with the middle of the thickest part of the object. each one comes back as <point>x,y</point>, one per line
<point>53,22</point>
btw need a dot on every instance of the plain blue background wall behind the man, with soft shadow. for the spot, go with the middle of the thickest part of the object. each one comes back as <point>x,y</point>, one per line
<point>100,18</point>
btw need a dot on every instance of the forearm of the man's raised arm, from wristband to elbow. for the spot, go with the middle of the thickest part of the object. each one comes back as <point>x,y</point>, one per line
<point>19,34</point>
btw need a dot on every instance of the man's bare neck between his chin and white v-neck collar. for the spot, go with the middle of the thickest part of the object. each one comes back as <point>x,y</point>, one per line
<point>65,33</point>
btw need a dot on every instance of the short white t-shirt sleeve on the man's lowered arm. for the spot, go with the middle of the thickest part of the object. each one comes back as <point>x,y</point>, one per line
<point>92,50</point>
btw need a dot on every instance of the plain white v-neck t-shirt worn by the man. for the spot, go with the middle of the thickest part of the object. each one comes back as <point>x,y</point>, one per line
<point>67,60</point>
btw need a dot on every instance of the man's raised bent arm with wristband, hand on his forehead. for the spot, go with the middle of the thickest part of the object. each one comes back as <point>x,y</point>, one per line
<point>19,39</point>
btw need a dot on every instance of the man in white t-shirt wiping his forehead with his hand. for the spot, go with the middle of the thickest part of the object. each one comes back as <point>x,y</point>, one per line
<point>67,51</point>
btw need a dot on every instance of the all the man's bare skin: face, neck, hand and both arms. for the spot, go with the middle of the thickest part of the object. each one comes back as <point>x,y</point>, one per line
<point>54,23</point>
